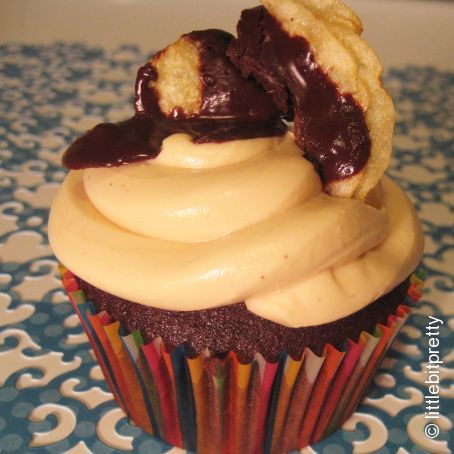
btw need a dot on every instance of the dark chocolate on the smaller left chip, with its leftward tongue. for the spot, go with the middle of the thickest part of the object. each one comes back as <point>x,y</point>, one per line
<point>232,108</point>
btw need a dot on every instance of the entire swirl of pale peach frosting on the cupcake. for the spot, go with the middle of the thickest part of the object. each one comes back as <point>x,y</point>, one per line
<point>237,221</point>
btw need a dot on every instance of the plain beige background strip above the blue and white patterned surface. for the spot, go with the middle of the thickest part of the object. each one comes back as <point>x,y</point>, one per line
<point>401,31</point>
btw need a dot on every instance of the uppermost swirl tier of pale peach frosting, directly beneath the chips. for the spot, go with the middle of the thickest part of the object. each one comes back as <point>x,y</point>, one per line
<point>194,193</point>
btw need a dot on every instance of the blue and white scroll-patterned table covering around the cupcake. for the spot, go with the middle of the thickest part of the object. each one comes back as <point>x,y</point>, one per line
<point>53,397</point>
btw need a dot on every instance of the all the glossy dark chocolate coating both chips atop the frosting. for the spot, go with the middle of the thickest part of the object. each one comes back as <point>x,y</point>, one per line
<point>329,126</point>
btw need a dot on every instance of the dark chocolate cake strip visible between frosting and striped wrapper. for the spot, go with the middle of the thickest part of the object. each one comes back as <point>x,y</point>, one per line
<point>234,328</point>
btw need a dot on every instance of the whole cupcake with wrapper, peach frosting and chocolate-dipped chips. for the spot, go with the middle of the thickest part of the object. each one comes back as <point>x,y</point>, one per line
<point>241,279</point>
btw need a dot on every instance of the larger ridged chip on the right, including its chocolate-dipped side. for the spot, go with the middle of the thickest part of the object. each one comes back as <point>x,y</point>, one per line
<point>310,57</point>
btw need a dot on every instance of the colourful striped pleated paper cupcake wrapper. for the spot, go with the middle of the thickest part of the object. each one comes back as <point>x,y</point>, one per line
<point>212,405</point>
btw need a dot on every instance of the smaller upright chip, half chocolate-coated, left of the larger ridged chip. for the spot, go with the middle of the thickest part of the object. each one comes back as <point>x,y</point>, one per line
<point>195,78</point>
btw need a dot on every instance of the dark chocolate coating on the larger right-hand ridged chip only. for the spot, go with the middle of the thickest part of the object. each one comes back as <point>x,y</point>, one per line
<point>329,126</point>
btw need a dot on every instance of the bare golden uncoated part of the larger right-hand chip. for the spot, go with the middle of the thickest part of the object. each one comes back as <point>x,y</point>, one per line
<point>333,32</point>
